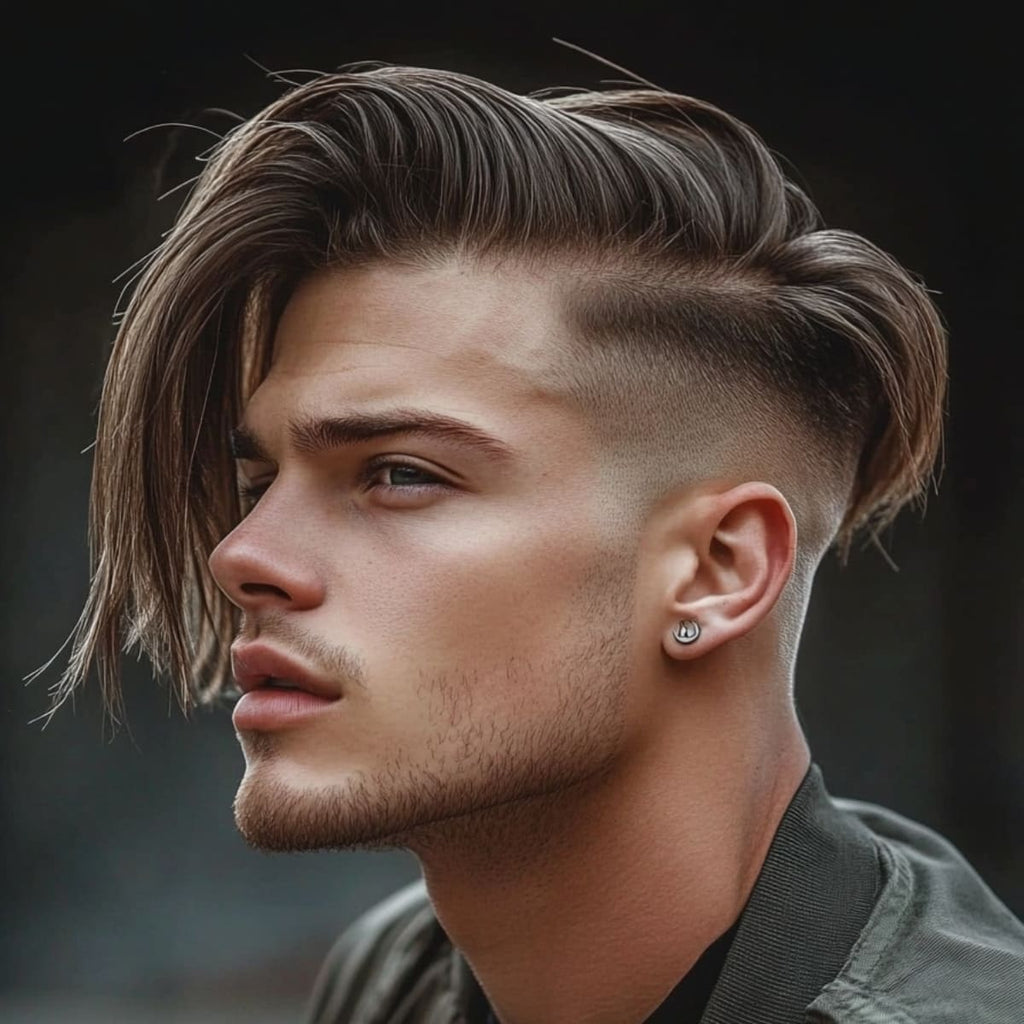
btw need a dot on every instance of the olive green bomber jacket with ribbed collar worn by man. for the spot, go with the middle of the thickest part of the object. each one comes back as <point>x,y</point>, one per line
<point>859,917</point>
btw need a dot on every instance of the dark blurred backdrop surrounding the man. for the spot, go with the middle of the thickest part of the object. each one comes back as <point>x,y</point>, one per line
<point>126,893</point>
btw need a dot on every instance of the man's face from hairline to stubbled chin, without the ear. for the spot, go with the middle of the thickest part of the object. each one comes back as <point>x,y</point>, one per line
<point>474,613</point>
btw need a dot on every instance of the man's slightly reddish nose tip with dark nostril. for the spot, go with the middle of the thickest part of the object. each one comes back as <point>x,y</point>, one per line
<point>261,566</point>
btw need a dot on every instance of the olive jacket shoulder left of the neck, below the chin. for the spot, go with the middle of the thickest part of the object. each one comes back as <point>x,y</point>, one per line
<point>374,972</point>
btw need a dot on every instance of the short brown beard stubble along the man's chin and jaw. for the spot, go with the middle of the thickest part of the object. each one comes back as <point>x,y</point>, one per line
<point>490,780</point>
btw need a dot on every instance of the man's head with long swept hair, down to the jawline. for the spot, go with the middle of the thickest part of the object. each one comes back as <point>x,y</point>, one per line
<point>682,391</point>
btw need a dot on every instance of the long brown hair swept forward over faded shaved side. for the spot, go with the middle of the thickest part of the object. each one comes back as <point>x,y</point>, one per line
<point>705,250</point>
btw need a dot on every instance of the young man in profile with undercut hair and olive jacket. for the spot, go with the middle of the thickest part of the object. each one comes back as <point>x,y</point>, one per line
<point>545,412</point>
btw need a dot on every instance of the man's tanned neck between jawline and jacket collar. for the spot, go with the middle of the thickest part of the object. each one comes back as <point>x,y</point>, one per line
<point>656,857</point>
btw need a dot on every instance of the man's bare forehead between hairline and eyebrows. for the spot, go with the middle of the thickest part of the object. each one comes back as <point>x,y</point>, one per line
<point>468,344</point>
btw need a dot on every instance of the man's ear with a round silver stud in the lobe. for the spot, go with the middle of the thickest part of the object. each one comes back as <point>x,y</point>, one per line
<point>737,551</point>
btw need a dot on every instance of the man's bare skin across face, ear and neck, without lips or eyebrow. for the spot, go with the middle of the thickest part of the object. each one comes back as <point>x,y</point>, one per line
<point>575,783</point>
